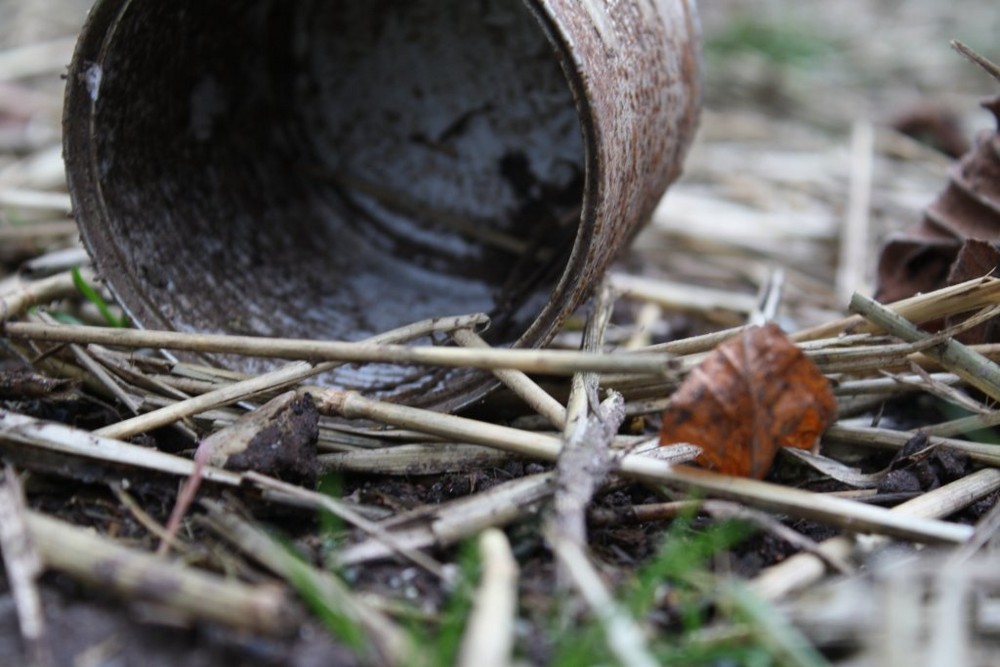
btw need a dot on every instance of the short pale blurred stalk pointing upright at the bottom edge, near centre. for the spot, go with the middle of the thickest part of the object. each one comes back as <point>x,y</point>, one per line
<point>489,634</point>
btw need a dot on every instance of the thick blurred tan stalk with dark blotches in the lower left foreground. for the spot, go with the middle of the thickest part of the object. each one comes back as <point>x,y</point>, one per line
<point>100,562</point>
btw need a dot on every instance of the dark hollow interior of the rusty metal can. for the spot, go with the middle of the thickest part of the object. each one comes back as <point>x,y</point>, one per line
<point>331,168</point>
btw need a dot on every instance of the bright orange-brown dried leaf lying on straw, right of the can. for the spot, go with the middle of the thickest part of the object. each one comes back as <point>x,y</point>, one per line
<point>755,393</point>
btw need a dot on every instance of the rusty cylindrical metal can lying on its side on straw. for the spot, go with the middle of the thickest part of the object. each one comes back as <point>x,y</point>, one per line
<point>333,168</point>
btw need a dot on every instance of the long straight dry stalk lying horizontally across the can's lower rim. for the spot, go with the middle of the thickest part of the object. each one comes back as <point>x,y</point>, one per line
<point>543,362</point>
